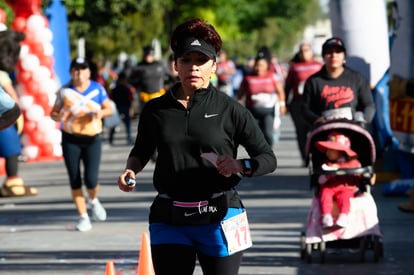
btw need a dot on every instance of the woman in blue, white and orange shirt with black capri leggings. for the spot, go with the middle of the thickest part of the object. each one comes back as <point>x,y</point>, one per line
<point>80,106</point>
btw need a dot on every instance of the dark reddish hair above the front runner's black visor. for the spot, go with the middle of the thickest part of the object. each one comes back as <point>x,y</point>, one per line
<point>197,28</point>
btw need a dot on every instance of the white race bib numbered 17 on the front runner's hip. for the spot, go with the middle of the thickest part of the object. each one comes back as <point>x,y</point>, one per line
<point>237,232</point>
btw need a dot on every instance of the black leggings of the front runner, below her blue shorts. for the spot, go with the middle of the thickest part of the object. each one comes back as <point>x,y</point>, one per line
<point>181,259</point>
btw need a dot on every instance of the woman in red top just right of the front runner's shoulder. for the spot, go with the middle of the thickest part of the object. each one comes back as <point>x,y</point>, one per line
<point>262,91</point>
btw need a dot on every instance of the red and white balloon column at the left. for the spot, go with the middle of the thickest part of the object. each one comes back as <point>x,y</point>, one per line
<point>37,82</point>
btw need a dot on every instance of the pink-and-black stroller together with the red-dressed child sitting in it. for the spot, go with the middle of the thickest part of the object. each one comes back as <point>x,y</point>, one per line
<point>359,229</point>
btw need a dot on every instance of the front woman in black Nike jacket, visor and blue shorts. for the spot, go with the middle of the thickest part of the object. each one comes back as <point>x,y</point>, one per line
<point>197,131</point>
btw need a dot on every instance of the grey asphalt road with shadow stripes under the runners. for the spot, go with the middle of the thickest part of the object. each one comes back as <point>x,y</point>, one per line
<point>38,236</point>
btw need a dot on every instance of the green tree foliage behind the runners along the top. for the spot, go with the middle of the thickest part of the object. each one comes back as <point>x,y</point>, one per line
<point>112,26</point>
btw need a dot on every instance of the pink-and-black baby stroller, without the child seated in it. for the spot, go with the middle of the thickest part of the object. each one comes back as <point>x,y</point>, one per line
<point>363,231</point>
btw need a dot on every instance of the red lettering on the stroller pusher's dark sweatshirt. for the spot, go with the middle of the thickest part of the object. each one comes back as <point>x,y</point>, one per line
<point>337,96</point>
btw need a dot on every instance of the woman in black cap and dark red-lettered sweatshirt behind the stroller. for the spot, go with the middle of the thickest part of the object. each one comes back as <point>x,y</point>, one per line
<point>335,90</point>
